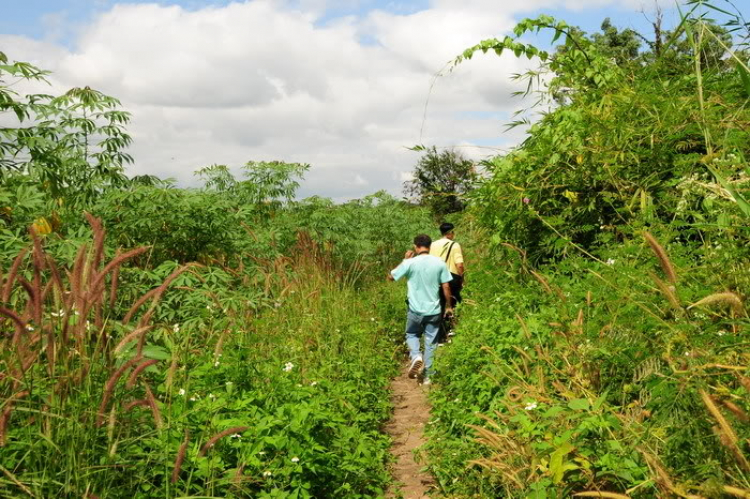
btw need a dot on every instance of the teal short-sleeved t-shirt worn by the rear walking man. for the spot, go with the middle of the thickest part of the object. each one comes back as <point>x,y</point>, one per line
<point>424,275</point>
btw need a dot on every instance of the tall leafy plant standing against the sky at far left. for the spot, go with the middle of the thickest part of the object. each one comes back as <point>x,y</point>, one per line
<point>72,145</point>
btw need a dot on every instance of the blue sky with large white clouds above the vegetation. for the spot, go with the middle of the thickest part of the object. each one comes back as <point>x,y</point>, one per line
<point>343,85</point>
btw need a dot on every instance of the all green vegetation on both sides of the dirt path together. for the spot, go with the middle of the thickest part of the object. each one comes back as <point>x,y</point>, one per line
<point>232,340</point>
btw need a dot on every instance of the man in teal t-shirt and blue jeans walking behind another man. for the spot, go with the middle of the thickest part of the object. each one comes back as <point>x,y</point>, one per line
<point>425,276</point>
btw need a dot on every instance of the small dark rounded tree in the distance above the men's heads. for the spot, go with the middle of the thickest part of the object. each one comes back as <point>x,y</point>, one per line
<point>441,180</point>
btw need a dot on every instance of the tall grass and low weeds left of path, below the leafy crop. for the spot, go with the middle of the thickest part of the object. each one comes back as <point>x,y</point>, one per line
<point>97,398</point>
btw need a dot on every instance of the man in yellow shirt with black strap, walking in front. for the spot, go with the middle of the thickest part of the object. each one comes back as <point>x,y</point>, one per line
<point>448,250</point>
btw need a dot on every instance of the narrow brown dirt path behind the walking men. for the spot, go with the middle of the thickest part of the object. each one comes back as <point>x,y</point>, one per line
<point>410,415</point>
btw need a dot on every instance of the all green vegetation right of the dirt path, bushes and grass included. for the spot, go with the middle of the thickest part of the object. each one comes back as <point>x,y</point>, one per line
<point>604,347</point>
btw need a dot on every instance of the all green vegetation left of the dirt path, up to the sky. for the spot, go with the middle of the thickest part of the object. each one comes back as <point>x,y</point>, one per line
<point>186,342</point>
